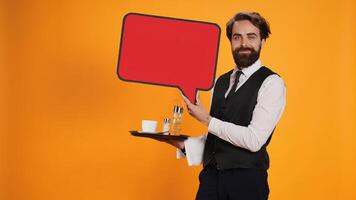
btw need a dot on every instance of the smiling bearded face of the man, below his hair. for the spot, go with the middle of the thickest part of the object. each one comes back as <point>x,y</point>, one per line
<point>246,43</point>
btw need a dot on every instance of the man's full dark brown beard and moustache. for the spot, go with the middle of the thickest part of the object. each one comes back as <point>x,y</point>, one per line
<point>244,60</point>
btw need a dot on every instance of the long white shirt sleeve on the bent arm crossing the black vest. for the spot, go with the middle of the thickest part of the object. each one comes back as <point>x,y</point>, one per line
<point>270,105</point>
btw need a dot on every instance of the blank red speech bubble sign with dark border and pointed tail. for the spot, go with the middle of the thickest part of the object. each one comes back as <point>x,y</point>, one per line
<point>169,52</point>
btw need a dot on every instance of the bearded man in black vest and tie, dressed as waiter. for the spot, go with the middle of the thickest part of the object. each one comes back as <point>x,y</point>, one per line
<point>247,103</point>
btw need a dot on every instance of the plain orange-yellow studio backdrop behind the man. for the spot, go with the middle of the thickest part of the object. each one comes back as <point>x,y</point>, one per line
<point>65,115</point>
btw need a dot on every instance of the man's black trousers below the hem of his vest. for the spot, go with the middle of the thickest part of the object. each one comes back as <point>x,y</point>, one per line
<point>232,184</point>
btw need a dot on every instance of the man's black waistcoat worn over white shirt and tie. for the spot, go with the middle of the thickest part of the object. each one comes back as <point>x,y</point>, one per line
<point>237,109</point>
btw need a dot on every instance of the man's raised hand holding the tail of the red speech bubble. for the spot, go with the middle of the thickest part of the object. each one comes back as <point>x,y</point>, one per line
<point>197,110</point>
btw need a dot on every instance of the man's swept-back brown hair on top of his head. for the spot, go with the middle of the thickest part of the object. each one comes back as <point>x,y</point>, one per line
<point>255,18</point>
